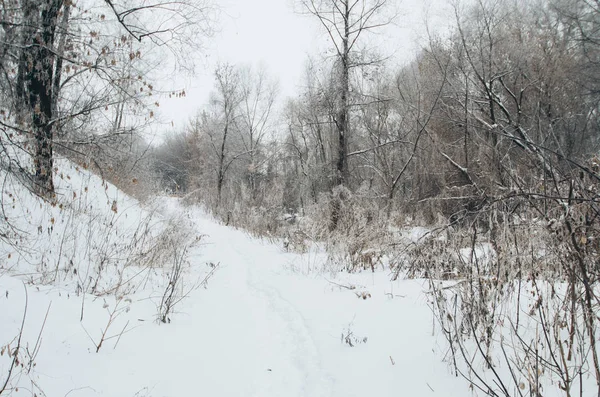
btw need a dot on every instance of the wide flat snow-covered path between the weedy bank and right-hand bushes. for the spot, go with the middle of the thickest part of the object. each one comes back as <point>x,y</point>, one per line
<point>278,333</point>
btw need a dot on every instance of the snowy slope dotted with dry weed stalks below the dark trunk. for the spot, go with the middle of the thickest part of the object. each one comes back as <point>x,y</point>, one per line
<point>93,238</point>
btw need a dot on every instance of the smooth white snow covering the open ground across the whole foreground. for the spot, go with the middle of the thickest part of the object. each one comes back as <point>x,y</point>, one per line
<point>262,326</point>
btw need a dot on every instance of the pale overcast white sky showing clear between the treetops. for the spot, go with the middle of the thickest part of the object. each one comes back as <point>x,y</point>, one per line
<point>270,32</point>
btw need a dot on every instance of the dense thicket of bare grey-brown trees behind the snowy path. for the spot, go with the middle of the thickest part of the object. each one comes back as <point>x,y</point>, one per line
<point>484,117</point>
